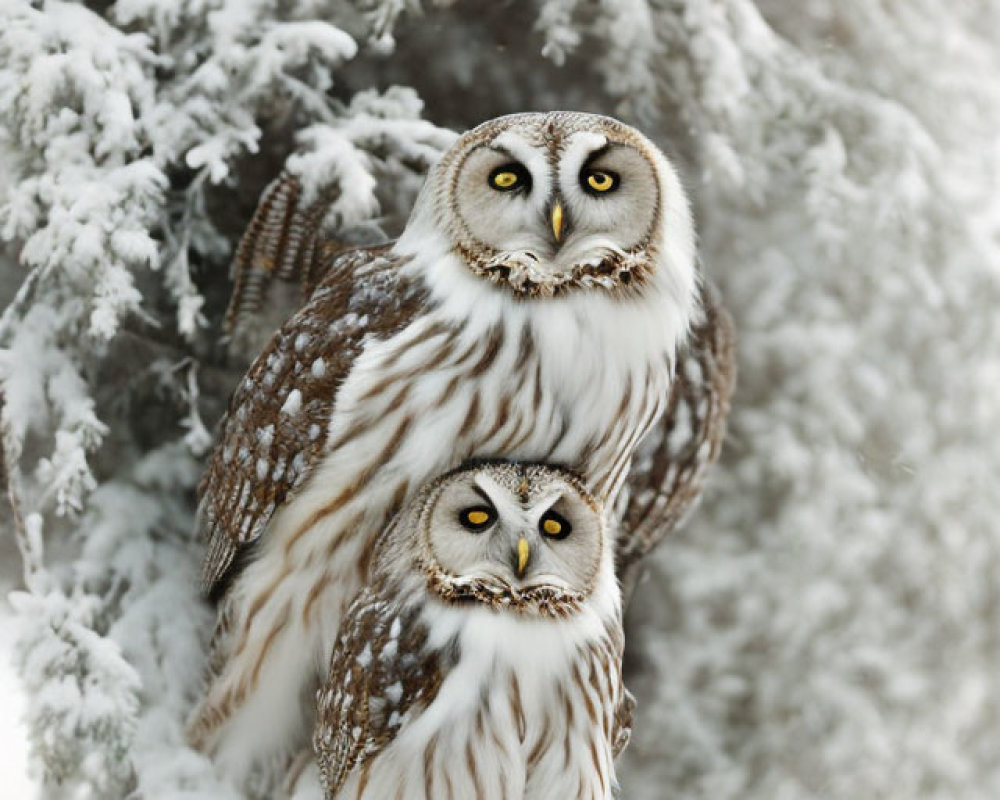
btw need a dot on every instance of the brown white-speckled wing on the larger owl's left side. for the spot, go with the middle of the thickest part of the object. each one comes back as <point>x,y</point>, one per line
<point>276,427</point>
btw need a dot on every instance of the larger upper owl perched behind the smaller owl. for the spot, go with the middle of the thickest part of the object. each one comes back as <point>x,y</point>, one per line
<point>532,310</point>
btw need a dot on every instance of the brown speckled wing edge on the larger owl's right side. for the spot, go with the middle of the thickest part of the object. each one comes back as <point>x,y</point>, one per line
<point>669,470</point>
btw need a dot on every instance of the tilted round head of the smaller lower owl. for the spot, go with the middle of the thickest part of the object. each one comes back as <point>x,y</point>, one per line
<point>524,538</point>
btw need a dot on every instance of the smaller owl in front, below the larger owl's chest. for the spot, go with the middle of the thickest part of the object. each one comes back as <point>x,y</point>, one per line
<point>484,658</point>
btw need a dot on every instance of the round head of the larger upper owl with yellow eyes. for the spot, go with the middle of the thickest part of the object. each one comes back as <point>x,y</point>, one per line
<point>549,203</point>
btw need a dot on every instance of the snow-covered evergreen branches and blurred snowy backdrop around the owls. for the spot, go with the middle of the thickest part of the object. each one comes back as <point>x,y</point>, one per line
<point>827,624</point>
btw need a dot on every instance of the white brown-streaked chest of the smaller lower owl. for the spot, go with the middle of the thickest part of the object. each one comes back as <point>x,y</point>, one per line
<point>527,712</point>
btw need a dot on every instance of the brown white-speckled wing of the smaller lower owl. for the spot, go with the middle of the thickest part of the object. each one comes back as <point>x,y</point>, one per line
<point>382,674</point>
